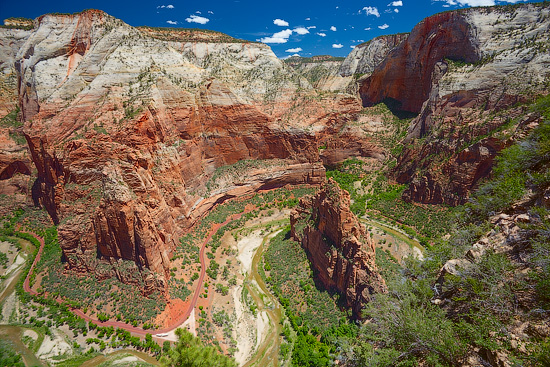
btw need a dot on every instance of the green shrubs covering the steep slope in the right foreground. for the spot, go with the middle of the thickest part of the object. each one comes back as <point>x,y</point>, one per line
<point>489,295</point>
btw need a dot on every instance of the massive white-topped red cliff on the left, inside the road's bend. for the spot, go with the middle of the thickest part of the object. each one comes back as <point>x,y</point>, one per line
<point>129,130</point>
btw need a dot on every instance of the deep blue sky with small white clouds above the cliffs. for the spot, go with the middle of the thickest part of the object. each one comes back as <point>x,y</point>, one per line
<point>304,27</point>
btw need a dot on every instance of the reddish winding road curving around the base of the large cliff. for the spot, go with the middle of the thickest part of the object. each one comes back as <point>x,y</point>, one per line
<point>134,329</point>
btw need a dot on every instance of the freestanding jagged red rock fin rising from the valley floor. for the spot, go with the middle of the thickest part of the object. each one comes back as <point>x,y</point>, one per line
<point>340,250</point>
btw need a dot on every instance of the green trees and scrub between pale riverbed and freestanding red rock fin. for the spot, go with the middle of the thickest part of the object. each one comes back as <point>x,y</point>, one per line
<point>320,326</point>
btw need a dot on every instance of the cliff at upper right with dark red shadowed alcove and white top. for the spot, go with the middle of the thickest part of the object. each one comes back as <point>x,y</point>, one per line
<point>470,108</point>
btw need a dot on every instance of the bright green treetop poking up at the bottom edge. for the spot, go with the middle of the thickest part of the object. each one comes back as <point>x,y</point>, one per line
<point>190,352</point>
